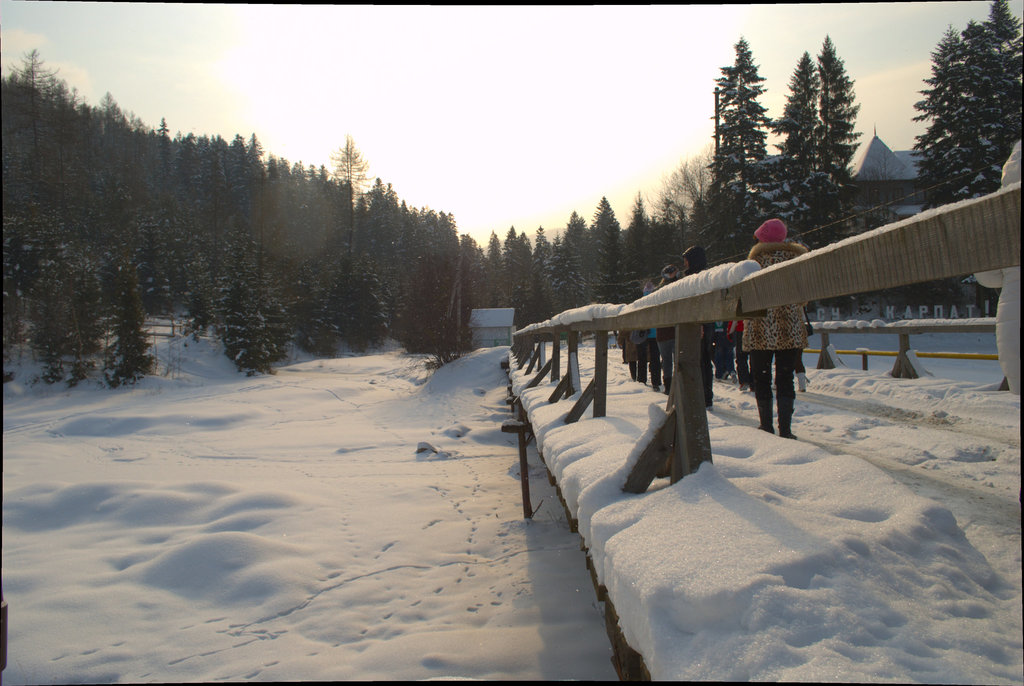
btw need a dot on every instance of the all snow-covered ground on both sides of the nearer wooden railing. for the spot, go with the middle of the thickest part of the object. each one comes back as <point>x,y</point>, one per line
<point>209,527</point>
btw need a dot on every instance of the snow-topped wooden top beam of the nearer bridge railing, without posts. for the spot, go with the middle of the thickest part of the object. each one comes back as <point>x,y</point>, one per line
<point>955,240</point>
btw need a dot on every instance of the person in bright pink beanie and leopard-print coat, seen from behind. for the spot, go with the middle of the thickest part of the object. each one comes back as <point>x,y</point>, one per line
<point>781,335</point>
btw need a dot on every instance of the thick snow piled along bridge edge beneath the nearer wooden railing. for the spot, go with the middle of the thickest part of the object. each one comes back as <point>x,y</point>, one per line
<point>780,562</point>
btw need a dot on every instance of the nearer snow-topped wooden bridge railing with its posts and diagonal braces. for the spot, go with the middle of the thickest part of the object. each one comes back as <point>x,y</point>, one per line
<point>953,241</point>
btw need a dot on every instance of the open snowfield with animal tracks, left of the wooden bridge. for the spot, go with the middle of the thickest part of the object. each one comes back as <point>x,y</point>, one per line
<point>286,529</point>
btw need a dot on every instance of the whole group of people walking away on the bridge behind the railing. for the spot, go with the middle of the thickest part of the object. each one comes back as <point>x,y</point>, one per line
<point>780,337</point>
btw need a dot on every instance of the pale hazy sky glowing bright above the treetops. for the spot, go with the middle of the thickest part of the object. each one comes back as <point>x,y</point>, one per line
<point>502,116</point>
